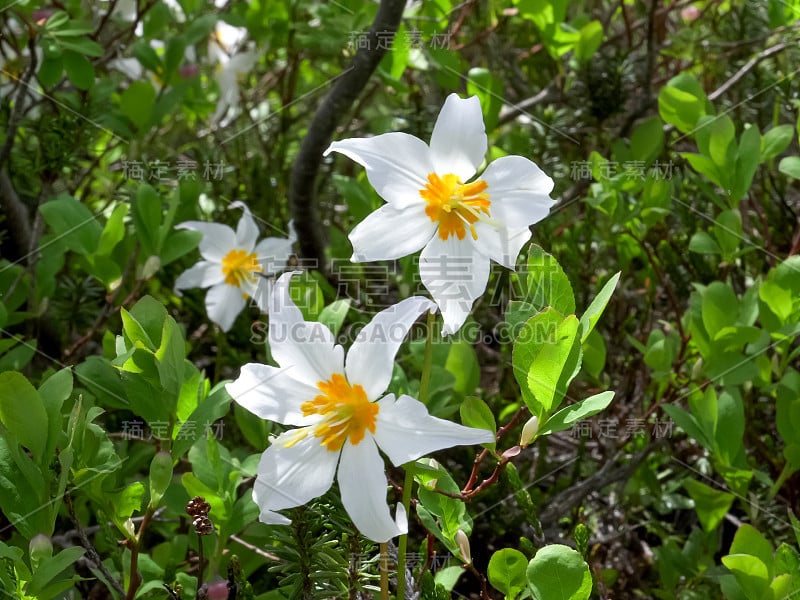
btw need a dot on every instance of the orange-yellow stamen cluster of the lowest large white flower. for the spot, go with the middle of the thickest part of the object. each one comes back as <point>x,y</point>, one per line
<point>347,411</point>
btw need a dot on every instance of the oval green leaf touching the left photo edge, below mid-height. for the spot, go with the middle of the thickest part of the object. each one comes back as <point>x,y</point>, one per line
<point>23,413</point>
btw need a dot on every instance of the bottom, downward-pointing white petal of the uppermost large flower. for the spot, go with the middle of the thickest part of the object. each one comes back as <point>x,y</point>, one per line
<point>456,275</point>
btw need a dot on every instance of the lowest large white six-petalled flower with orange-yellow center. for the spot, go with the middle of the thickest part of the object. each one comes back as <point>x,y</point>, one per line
<point>342,412</point>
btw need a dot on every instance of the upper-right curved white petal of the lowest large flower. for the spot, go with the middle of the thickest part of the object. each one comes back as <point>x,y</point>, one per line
<point>370,360</point>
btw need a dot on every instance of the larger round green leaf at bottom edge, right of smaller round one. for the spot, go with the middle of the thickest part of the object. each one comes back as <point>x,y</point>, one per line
<point>559,573</point>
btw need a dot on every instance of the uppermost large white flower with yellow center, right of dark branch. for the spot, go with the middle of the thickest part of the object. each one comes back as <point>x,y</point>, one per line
<point>432,205</point>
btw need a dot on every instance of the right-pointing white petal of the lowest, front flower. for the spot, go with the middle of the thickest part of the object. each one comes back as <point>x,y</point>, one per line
<point>404,431</point>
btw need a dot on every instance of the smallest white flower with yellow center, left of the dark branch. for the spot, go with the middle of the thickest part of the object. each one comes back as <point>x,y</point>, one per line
<point>235,267</point>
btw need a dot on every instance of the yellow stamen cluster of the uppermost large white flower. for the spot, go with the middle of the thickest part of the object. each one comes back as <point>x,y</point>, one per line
<point>455,205</point>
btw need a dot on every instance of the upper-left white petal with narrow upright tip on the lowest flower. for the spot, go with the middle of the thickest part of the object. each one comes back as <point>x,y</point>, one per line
<point>308,348</point>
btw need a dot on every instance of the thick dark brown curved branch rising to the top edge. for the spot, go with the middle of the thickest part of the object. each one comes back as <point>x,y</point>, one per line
<point>320,133</point>
